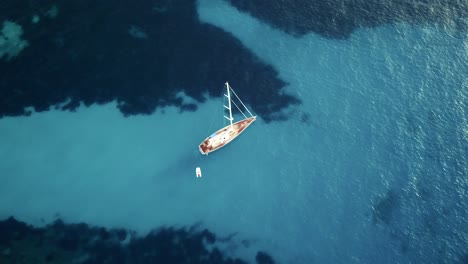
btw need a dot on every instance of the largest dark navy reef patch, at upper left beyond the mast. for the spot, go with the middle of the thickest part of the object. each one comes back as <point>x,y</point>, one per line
<point>139,54</point>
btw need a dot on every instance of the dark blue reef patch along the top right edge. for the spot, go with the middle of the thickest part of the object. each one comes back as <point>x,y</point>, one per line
<point>339,18</point>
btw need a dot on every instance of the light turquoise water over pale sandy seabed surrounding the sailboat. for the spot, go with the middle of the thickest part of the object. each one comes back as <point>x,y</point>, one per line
<point>370,167</point>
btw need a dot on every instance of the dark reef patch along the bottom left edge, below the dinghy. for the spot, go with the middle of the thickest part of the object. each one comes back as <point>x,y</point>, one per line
<point>80,243</point>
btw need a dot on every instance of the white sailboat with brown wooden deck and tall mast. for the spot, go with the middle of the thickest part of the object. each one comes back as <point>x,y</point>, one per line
<point>228,133</point>
